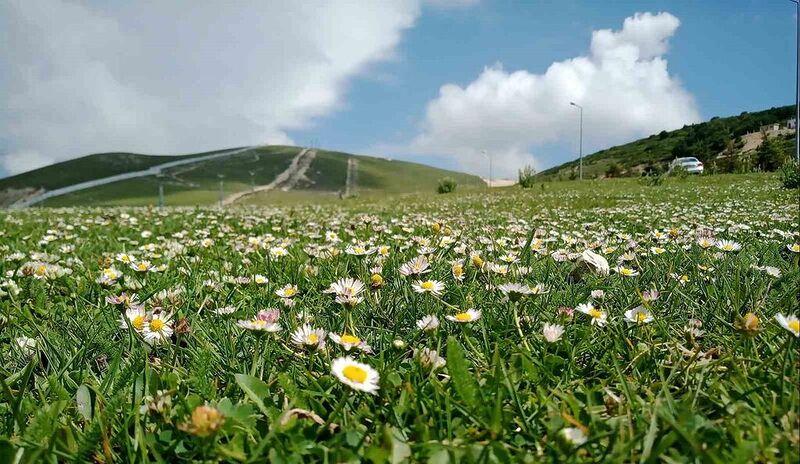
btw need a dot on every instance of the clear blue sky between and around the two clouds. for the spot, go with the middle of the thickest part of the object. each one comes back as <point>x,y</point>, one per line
<point>731,56</point>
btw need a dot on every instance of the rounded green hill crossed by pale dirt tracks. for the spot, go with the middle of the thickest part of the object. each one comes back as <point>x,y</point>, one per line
<point>198,183</point>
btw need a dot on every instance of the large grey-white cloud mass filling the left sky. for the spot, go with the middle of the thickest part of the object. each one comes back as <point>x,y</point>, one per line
<point>167,77</point>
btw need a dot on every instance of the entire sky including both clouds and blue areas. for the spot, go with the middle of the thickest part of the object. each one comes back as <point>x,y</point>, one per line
<point>434,81</point>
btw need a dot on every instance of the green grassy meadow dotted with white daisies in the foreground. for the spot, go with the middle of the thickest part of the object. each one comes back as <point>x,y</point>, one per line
<point>600,322</point>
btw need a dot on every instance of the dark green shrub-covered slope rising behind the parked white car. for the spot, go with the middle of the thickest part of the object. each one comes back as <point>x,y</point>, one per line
<point>704,140</point>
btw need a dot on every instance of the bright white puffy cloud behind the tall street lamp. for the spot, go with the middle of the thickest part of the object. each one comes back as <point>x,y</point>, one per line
<point>623,84</point>
